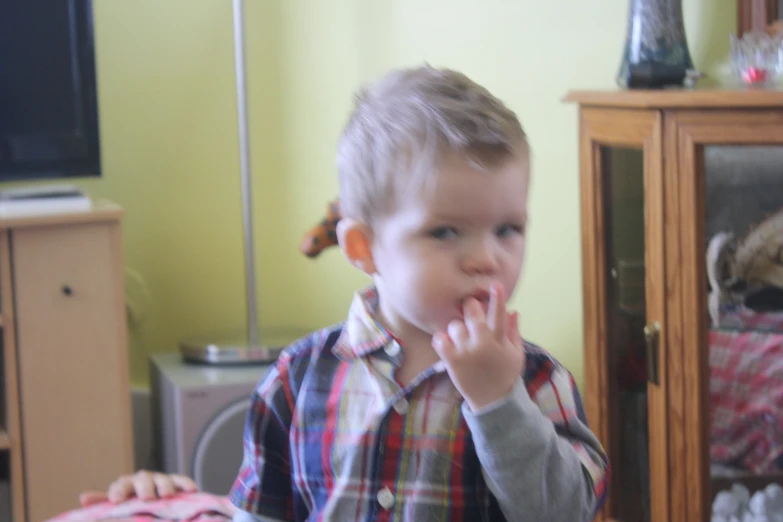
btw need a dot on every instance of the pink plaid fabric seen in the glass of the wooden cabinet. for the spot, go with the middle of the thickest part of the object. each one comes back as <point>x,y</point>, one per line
<point>746,391</point>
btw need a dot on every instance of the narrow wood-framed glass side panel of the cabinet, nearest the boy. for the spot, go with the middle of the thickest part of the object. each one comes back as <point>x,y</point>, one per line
<point>622,223</point>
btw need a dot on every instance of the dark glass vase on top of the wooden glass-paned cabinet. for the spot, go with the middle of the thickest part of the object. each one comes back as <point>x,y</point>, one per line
<point>656,51</point>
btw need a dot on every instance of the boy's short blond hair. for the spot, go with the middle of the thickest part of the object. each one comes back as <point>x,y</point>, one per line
<point>404,123</point>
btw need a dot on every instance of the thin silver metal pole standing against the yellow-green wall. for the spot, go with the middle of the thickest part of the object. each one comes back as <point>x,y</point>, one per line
<point>244,156</point>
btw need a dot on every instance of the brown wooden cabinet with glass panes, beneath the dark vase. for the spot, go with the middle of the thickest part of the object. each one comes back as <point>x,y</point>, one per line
<point>682,242</point>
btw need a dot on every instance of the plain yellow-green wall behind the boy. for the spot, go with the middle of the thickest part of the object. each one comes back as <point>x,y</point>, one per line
<point>167,107</point>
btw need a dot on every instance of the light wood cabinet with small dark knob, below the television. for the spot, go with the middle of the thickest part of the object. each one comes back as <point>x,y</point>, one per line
<point>67,422</point>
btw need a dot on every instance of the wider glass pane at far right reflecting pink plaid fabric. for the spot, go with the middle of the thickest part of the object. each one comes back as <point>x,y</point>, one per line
<point>744,264</point>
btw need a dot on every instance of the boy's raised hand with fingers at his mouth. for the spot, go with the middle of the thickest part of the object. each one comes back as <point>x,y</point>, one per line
<point>483,354</point>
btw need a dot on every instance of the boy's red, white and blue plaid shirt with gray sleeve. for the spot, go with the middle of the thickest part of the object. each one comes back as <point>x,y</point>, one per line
<point>331,435</point>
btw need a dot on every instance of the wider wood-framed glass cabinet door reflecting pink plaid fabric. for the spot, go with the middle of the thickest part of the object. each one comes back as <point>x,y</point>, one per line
<point>731,207</point>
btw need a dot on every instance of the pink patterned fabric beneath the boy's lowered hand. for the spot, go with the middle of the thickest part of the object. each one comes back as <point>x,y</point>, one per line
<point>193,507</point>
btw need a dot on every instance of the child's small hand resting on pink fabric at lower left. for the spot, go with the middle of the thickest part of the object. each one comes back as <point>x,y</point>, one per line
<point>145,485</point>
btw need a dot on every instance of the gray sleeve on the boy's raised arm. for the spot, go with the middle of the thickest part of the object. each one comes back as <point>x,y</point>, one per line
<point>537,468</point>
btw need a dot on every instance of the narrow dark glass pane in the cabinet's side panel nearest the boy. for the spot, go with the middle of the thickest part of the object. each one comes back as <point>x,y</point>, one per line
<point>623,175</point>
